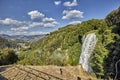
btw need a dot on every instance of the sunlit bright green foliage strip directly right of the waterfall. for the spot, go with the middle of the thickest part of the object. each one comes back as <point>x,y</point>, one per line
<point>100,52</point>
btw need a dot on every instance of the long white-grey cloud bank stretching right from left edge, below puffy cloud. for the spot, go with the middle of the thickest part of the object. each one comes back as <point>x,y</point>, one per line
<point>26,25</point>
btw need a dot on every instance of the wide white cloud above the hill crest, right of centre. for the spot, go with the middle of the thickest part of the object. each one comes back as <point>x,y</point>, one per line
<point>72,14</point>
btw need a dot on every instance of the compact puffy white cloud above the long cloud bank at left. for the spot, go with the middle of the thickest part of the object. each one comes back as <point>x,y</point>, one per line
<point>35,14</point>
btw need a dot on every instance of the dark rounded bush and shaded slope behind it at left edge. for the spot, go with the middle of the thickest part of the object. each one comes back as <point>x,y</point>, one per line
<point>7,53</point>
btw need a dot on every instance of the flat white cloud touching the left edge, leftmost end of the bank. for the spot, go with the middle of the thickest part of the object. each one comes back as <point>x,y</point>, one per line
<point>10,22</point>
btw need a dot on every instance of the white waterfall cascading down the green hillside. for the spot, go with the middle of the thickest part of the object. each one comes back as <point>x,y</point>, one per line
<point>87,48</point>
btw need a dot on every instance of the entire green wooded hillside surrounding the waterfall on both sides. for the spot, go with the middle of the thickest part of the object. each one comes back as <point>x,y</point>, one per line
<point>63,46</point>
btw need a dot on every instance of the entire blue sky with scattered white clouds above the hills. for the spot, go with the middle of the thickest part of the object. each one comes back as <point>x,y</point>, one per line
<point>31,17</point>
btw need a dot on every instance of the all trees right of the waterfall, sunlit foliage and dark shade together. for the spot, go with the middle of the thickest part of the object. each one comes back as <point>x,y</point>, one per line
<point>106,53</point>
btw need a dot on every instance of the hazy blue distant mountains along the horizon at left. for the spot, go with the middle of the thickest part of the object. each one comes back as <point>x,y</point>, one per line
<point>22,37</point>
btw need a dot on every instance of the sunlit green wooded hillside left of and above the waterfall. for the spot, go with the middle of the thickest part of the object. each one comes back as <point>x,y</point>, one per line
<point>61,47</point>
